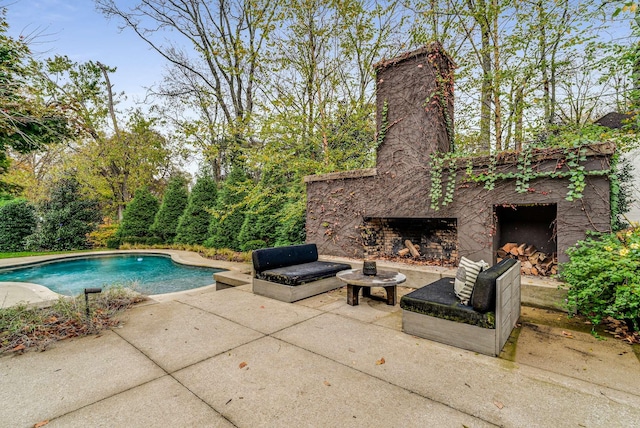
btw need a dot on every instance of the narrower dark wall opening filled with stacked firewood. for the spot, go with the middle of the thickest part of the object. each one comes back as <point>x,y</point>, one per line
<point>527,233</point>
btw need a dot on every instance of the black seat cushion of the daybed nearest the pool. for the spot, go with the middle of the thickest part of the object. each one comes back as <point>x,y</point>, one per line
<point>302,273</point>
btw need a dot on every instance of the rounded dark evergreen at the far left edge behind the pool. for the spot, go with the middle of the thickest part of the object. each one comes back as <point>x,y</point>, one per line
<point>17,221</point>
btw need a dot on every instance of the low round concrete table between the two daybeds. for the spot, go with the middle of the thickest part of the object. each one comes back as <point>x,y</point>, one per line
<point>355,280</point>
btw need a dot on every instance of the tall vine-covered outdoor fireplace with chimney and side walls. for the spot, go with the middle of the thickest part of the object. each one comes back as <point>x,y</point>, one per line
<point>375,212</point>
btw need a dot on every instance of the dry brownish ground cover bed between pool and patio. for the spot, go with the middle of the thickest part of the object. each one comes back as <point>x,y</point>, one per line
<point>25,327</point>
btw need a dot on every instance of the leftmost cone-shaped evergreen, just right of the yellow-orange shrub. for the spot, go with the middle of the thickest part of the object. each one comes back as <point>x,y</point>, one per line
<point>138,217</point>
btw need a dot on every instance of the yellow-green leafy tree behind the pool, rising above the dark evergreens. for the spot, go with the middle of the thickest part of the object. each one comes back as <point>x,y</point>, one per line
<point>109,161</point>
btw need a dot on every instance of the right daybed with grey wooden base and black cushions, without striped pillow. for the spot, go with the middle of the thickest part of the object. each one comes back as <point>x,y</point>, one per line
<point>482,325</point>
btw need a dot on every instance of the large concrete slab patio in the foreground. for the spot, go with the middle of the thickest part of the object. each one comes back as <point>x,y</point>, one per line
<point>231,358</point>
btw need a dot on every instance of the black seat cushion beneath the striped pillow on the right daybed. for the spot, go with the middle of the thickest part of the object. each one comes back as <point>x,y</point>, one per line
<point>438,300</point>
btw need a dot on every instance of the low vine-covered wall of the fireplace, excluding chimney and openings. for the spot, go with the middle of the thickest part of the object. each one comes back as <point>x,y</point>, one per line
<point>336,210</point>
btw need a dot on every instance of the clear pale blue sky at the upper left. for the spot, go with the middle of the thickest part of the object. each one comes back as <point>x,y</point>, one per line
<point>76,29</point>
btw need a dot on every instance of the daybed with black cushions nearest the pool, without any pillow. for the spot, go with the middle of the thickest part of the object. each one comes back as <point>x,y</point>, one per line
<point>293,272</point>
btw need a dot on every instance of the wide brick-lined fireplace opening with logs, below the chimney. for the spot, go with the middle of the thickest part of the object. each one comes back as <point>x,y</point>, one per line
<point>429,241</point>
